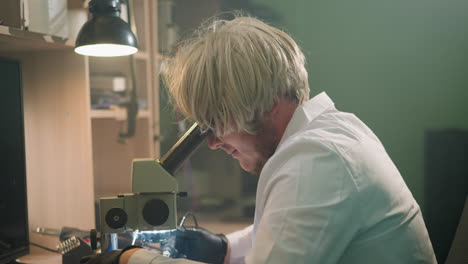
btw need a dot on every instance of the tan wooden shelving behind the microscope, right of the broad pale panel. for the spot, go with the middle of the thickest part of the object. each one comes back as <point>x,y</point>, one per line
<point>112,155</point>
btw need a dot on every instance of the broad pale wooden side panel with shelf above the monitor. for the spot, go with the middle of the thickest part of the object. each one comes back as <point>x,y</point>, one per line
<point>59,163</point>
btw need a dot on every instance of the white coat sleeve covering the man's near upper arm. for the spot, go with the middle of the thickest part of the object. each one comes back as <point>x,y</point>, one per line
<point>309,213</point>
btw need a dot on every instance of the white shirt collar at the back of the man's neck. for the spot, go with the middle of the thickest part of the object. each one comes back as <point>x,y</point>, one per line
<point>307,112</point>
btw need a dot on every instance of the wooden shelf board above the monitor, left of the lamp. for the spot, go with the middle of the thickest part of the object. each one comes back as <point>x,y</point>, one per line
<point>13,39</point>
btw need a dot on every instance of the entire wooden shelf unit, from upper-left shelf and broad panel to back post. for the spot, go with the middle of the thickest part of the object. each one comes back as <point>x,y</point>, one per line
<point>73,153</point>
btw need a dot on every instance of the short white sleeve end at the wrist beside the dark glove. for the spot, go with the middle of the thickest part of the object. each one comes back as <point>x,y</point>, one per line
<point>240,243</point>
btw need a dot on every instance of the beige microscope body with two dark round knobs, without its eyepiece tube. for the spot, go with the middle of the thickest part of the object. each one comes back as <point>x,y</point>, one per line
<point>150,207</point>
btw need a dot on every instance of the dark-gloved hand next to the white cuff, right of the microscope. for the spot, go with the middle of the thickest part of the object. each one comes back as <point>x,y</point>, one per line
<point>196,243</point>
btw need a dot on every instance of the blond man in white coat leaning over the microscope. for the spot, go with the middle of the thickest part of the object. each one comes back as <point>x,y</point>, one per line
<point>327,190</point>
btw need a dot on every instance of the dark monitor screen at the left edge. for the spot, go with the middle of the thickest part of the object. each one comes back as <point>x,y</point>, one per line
<point>14,237</point>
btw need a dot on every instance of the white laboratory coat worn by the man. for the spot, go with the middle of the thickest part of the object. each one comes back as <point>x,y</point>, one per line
<point>331,194</point>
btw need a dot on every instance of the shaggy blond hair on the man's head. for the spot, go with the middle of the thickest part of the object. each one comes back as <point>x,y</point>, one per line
<point>232,72</point>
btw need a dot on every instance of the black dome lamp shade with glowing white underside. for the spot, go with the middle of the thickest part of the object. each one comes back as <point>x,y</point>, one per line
<point>105,32</point>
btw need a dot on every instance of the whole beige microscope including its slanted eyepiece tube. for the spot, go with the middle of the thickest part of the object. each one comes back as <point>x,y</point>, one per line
<point>151,206</point>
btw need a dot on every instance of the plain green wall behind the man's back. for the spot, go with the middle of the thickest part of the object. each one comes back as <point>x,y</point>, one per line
<point>401,66</point>
